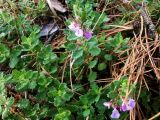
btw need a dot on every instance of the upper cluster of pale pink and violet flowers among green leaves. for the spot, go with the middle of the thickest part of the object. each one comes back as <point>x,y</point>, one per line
<point>75,27</point>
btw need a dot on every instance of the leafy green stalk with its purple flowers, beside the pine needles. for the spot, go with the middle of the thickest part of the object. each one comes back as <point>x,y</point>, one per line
<point>125,104</point>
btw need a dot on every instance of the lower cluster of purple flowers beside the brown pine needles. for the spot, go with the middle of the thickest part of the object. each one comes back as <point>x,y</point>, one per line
<point>126,106</point>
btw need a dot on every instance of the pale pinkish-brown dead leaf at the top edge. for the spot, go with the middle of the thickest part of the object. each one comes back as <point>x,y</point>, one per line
<point>56,5</point>
